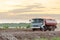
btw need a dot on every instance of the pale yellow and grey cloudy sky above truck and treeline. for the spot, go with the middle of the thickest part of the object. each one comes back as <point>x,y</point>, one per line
<point>15,11</point>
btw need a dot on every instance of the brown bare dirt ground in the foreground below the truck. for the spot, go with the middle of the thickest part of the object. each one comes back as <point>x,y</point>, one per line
<point>22,34</point>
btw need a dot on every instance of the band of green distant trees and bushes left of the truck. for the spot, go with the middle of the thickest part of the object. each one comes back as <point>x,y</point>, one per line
<point>6,25</point>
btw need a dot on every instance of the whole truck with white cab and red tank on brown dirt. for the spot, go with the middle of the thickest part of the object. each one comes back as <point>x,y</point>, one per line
<point>43,24</point>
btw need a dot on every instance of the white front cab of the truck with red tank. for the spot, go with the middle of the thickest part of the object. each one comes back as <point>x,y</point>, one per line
<point>37,23</point>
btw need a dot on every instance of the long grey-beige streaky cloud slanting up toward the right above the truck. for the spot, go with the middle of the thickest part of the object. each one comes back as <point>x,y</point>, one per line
<point>28,9</point>
